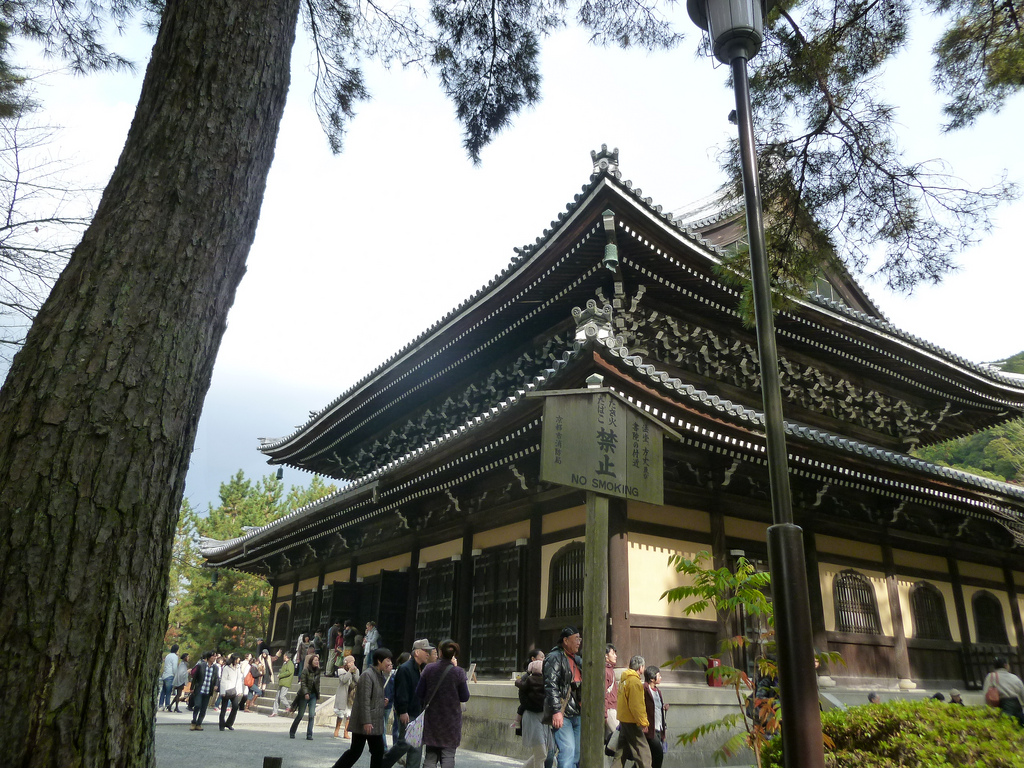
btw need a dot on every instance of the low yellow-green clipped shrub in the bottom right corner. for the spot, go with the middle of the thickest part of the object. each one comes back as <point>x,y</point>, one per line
<point>920,735</point>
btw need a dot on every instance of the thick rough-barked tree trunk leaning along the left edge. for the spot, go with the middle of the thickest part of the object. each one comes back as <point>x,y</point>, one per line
<point>99,414</point>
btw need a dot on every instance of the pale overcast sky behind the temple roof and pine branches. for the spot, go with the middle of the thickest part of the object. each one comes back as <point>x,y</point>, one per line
<point>357,254</point>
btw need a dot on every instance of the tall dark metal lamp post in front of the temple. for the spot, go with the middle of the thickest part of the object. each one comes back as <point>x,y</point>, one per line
<point>737,30</point>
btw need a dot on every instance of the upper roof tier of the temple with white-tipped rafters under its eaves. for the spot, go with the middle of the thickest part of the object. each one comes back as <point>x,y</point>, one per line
<point>404,404</point>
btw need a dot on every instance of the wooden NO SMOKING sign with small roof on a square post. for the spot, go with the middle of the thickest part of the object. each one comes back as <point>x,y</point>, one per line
<point>596,441</point>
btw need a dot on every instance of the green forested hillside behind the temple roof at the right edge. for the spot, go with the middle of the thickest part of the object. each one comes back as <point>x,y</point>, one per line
<point>997,453</point>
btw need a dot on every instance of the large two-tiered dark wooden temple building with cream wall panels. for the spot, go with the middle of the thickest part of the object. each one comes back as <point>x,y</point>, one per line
<point>444,528</point>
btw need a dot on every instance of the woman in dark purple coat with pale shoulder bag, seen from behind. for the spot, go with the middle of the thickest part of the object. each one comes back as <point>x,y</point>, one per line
<point>443,686</point>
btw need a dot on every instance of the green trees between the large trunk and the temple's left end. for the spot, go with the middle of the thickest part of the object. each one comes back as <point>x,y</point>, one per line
<point>219,608</point>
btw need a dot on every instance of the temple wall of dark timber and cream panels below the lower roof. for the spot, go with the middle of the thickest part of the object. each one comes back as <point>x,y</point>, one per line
<point>502,590</point>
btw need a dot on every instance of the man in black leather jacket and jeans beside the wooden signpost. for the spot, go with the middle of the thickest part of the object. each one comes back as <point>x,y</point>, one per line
<point>563,679</point>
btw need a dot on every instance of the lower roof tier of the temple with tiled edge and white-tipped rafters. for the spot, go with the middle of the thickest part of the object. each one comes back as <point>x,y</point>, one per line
<point>371,497</point>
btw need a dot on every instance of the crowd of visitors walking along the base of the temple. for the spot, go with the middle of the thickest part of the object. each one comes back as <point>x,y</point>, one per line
<point>426,690</point>
